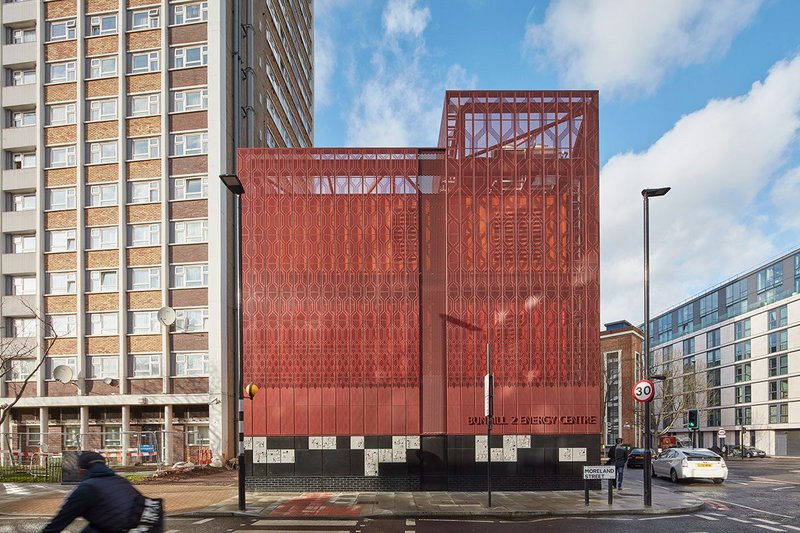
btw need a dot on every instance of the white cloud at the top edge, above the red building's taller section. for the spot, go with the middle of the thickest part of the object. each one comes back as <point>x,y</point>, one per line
<point>628,46</point>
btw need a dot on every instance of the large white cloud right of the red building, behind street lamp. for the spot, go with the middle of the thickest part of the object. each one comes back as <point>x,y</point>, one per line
<point>721,162</point>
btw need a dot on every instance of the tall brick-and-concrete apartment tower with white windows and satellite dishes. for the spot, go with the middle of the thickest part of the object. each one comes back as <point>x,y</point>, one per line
<point>118,118</point>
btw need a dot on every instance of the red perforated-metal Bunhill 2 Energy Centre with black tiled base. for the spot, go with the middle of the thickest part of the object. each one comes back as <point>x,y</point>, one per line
<point>374,279</point>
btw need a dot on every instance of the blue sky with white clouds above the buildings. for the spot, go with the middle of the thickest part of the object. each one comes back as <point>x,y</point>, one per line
<point>698,95</point>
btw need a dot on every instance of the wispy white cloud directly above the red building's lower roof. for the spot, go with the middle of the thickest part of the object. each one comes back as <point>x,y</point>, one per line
<point>400,102</point>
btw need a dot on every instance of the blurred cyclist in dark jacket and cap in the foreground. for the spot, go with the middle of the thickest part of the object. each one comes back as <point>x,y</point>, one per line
<point>107,501</point>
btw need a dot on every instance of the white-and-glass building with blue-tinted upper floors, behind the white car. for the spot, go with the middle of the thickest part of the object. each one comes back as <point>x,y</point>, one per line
<point>732,354</point>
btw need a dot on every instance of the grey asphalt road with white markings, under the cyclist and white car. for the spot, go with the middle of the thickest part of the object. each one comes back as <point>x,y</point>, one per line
<point>760,495</point>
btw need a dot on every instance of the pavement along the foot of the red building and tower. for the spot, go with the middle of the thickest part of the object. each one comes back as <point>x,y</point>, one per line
<point>20,499</point>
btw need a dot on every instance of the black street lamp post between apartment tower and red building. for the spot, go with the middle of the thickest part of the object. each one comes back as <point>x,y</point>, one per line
<point>234,185</point>
